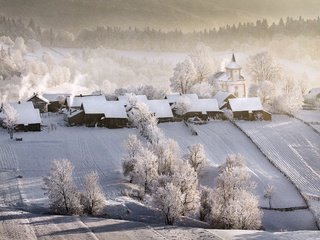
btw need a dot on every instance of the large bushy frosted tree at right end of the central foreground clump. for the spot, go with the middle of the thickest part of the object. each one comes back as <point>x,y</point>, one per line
<point>234,205</point>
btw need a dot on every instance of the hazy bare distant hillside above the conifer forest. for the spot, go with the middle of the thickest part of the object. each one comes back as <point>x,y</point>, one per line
<point>166,14</point>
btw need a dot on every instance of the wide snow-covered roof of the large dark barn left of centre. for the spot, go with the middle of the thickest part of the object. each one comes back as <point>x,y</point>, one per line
<point>110,109</point>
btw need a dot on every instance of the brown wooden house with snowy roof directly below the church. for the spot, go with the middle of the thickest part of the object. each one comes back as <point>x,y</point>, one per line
<point>248,109</point>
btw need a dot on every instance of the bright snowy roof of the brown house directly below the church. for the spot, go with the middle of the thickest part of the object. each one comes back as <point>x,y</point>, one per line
<point>245,104</point>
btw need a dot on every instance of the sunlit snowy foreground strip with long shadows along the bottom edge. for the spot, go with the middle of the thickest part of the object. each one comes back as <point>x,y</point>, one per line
<point>20,225</point>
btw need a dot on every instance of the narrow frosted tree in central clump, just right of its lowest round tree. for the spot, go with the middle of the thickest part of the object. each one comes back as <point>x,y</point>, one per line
<point>186,179</point>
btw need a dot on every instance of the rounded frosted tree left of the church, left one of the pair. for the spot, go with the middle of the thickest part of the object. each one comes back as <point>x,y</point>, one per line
<point>184,76</point>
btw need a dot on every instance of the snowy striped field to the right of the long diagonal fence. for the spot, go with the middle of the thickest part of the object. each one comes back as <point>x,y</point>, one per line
<point>294,148</point>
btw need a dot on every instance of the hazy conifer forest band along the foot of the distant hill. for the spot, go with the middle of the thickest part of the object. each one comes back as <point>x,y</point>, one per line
<point>152,39</point>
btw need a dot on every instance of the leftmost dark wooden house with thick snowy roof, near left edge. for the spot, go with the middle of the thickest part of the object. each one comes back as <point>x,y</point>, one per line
<point>28,118</point>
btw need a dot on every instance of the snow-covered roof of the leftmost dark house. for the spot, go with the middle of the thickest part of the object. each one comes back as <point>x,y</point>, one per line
<point>27,114</point>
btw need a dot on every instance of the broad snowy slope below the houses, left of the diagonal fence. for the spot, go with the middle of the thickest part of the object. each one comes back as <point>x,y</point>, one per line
<point>100,149</point>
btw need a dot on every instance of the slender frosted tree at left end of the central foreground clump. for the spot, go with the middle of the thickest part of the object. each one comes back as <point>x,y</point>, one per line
<point>132,148</point>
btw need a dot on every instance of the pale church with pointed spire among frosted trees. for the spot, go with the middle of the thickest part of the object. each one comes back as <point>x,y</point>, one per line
<point>231,80</point>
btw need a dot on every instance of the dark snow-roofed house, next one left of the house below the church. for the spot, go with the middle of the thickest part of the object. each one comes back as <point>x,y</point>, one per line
<point>204,109</point>
